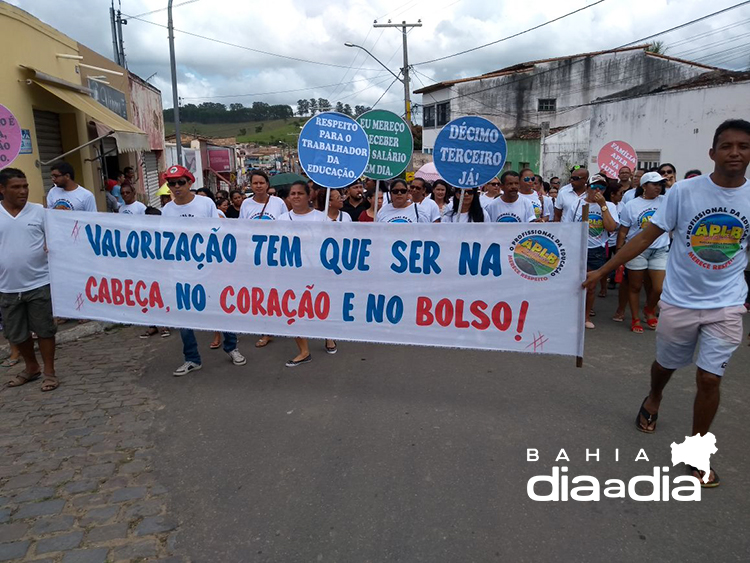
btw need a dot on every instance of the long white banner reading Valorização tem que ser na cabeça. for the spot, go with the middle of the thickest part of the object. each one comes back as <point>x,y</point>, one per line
<point>488,286</point>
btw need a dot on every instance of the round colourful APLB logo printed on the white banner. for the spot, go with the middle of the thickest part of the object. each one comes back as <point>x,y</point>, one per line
<point>536,255</point>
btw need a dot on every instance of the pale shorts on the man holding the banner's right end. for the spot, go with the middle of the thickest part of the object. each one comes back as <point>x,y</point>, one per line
<point>718,331</point>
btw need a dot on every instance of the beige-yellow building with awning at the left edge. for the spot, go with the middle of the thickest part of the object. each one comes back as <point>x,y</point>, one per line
<point>71,103</point>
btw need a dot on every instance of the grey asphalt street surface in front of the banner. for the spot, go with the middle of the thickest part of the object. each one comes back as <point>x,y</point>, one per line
<point>399,453</point>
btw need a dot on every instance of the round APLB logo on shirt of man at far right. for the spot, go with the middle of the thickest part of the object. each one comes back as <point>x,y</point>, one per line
<point>716,238</point>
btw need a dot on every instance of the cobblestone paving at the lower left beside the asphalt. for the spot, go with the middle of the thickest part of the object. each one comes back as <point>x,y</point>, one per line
<point>76,480</point>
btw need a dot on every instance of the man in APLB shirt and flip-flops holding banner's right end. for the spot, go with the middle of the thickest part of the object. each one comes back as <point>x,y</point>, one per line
<point>702,302</point>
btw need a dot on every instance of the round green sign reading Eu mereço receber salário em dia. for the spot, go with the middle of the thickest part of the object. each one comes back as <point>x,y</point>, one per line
<point>391,143</point>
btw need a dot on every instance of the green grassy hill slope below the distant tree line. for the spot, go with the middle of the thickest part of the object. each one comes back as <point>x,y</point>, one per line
<point>263,132</point>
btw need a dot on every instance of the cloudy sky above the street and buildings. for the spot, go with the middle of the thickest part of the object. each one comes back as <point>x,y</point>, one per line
<point>314,31</point>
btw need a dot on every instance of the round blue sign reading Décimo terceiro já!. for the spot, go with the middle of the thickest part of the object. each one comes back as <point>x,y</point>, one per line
<point>469,152</point>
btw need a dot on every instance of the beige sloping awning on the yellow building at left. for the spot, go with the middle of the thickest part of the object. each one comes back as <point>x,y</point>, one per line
<point>129,137</point>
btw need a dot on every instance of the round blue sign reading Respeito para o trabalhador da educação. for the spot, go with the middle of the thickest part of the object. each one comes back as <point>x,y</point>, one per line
<point>333,149</point>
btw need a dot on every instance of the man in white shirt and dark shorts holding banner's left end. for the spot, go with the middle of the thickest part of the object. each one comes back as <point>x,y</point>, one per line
<point>25,298</point>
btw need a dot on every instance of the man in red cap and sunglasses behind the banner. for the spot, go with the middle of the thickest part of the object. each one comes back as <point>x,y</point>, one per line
<point>185,204</point>
